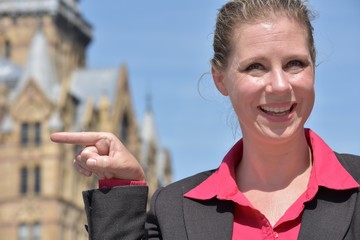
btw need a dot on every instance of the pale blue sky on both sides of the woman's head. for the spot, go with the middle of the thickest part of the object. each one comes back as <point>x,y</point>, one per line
<point>167,46</point>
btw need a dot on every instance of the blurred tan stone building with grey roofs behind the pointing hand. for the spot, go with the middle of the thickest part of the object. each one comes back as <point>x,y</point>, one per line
<point>46,87</point>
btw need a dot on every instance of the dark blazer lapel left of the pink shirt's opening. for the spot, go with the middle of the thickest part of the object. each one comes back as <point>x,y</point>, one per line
<point>208,219</point>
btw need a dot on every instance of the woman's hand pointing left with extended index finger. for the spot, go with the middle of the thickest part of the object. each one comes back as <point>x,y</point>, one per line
<point>103,155</point>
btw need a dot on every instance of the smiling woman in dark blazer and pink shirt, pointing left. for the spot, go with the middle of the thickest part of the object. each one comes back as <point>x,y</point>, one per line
<point>280,181</point>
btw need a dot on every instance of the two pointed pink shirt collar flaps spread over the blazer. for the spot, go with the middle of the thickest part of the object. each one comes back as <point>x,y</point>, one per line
<point>327,172</point>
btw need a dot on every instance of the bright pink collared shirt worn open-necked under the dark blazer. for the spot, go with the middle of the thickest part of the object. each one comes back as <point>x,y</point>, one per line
<point>249,223</point>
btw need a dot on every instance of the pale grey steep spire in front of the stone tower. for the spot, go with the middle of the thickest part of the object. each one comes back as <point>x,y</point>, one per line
<point>39,67</point>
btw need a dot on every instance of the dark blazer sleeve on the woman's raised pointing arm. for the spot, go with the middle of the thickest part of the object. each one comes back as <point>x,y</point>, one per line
<point>116,213</point>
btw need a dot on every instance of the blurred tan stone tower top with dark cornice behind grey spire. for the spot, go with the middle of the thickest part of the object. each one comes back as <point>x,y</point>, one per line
<point>67,32</point>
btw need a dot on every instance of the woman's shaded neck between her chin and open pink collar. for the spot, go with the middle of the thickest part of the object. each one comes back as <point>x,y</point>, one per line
<point>273,166</point>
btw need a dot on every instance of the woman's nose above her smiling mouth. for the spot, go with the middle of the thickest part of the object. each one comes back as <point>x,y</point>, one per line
<point>278,83</point>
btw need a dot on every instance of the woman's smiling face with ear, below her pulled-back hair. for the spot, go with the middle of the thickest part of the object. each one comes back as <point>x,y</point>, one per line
<point>269,78</point>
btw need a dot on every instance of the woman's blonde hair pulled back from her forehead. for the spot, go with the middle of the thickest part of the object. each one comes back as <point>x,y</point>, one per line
<point>236,12</point>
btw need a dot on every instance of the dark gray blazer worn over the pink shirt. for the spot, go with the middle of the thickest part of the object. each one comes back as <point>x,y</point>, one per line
<point>119,213</point>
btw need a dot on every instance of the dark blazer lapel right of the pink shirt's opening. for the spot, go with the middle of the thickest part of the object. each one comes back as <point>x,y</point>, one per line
<point>328,216</point>
